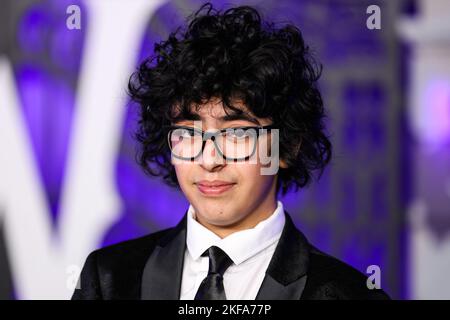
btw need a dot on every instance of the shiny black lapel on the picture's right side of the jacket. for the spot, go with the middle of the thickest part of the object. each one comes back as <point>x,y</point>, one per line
<point>285,277</point>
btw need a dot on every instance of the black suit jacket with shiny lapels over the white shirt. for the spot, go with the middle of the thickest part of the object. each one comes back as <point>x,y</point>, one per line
<point>151,268</point>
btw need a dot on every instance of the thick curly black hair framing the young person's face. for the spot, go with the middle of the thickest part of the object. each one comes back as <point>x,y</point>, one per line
<point>231,55</point>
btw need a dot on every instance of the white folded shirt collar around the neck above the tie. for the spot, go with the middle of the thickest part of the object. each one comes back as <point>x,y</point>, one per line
<point>240,245</point>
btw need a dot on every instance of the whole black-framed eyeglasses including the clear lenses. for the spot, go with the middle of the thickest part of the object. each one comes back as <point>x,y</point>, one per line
<point>236,144</point>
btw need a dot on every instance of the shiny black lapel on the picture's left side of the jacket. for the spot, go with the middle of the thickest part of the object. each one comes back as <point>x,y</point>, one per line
<point>161,279</point>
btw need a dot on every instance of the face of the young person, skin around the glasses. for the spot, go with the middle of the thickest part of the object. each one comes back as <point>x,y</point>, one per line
<point>247,196</point>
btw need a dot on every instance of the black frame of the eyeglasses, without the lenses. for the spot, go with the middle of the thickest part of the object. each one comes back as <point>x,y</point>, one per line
<point>212,135</point>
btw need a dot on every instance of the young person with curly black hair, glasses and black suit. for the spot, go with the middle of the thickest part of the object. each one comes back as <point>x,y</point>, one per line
<point>215,100</point>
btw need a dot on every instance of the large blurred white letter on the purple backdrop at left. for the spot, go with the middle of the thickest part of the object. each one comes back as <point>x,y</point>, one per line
<point>39,260</point>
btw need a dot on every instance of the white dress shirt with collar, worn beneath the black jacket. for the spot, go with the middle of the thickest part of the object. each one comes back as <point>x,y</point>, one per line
<point>251,251</point>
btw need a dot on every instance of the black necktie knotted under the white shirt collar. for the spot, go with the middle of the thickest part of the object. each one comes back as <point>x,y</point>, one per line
<point>211,287</point>
